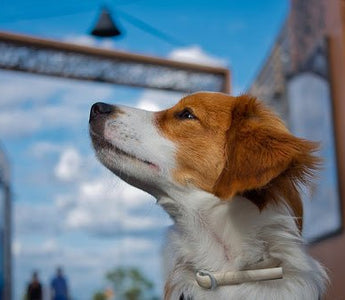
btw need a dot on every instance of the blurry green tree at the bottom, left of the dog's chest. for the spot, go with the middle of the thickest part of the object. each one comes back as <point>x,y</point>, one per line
<point>130,284</point>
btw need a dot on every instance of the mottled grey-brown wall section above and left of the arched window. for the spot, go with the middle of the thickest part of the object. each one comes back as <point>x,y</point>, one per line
<point>303,31</point>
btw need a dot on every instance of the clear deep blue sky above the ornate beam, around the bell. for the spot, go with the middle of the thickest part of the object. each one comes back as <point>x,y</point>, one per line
<point>239,31</point>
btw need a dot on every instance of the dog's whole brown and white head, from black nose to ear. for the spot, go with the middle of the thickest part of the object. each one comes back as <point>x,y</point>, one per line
<point>208,141</point>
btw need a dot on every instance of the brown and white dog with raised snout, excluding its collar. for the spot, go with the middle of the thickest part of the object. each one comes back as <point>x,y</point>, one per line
<point>228,172</point>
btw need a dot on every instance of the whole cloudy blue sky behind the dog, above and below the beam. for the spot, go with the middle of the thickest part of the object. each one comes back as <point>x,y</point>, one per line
<point>68,209</point>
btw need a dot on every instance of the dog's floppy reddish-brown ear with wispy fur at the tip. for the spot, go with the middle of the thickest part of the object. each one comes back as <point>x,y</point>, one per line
<point>259,148</point>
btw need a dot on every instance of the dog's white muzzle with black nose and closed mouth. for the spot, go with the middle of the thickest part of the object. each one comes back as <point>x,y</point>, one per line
<point>128,143</point>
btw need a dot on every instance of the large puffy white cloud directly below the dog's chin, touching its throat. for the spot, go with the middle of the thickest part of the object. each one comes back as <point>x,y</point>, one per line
<point>104,208</point>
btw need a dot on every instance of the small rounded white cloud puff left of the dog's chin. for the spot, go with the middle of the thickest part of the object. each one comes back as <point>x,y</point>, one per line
<point>69,165</point>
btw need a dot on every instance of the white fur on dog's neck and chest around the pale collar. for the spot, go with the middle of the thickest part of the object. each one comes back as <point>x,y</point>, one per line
<point>227,236</point>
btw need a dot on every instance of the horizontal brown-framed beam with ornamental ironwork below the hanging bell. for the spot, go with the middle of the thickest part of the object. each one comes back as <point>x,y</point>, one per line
<point>46,57</point>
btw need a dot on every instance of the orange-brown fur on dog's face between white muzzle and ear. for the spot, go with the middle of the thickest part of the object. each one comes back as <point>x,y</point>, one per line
<point>200,142</point>
